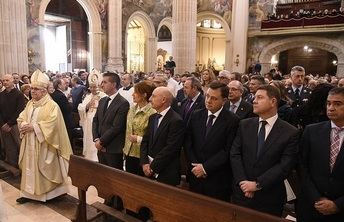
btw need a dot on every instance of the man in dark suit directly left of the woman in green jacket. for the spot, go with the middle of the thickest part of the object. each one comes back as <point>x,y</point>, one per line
<point>109,123</point>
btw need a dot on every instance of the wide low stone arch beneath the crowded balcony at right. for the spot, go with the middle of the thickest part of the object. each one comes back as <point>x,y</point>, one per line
<point>300,41</point>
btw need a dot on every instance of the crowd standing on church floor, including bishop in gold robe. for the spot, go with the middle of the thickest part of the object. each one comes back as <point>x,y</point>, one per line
<point>241,135</point>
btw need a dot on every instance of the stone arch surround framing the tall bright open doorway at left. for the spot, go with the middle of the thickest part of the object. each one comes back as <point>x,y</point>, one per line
<point>94,34</point>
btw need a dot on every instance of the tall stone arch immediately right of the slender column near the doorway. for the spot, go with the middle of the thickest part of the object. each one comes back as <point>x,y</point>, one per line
<point>150,41</point>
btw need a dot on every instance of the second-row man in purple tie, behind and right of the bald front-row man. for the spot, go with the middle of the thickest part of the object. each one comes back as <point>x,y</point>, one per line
<point>194,99</point>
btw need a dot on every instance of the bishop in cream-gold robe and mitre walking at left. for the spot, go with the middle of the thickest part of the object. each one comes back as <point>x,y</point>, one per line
<point>45,147</point>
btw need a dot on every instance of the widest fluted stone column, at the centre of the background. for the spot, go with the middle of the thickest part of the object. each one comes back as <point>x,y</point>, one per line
<point>184,20</point>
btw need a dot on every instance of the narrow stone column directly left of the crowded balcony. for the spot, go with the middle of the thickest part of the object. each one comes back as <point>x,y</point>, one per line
<point>239,32</point>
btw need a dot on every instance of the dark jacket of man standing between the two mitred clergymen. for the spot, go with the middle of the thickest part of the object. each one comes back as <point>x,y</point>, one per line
<point>66,108</point>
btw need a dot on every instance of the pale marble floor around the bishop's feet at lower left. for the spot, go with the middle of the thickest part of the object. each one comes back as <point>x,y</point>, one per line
<point>56,211</point>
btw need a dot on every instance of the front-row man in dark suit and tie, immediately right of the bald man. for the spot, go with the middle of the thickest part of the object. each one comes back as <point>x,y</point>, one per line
<point>209,136</point>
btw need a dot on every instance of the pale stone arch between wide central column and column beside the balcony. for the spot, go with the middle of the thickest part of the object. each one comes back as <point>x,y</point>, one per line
<point>228,53</point>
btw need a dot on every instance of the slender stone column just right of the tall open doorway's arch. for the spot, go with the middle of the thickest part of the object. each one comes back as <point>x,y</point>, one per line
<point>115,60</point>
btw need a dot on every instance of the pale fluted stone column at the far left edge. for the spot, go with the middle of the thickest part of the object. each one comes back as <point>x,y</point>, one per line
<point>13,37</point>
